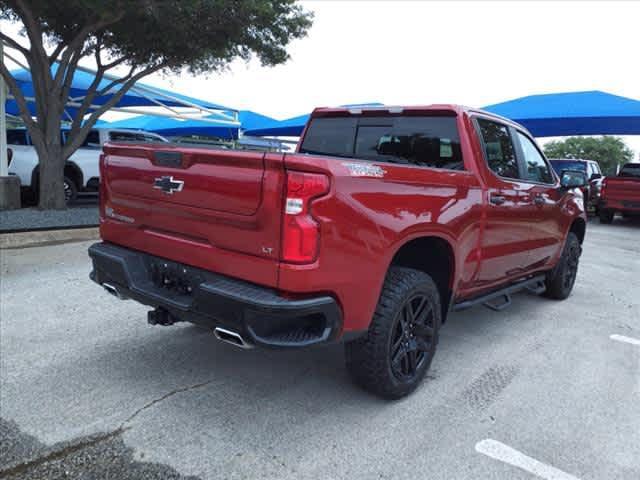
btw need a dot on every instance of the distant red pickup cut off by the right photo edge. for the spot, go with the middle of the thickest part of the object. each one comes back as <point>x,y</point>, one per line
<point>620,194</point>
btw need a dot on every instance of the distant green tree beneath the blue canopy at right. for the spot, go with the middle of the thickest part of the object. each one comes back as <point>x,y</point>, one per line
<point>608,151</point>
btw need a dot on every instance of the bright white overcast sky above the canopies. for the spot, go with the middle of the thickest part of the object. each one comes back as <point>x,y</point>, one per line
<point>419,52</point>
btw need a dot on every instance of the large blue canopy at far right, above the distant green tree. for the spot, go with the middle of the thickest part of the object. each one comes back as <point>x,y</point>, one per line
<point>573,113</point>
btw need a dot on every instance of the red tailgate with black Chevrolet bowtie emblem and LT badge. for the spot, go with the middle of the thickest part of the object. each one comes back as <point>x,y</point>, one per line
<point>209,208</point>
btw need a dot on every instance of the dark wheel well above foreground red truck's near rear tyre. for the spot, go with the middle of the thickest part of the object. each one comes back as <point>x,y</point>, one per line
<point>434,256</point>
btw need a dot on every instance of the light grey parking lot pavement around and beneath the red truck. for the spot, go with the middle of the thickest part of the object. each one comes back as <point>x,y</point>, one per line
<point>542,389</point>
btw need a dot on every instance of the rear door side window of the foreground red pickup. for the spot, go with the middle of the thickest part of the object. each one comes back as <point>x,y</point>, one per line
<point>498,145</point>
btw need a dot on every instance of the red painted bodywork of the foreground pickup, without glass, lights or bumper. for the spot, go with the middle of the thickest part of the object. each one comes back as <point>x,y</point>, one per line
<point>231,221</point>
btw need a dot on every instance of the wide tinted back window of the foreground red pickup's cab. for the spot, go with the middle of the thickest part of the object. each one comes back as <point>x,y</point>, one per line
<point>426,141</point>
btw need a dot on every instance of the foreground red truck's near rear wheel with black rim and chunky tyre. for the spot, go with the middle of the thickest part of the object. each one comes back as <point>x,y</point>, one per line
<point>394,357</point>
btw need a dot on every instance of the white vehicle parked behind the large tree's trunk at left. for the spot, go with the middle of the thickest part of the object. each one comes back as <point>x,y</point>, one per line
<point>81,172</point>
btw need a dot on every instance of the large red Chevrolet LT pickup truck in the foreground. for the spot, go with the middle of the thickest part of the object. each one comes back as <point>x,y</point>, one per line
<point>382,222</point>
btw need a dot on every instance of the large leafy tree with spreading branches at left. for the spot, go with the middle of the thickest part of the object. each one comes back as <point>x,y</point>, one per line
<point>146,36</point>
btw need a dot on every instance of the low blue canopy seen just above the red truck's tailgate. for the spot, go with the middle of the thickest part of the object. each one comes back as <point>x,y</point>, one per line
<point>171,127</point>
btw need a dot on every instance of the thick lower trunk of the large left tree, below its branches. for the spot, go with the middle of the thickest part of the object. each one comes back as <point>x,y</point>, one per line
<point>51,175</point>
